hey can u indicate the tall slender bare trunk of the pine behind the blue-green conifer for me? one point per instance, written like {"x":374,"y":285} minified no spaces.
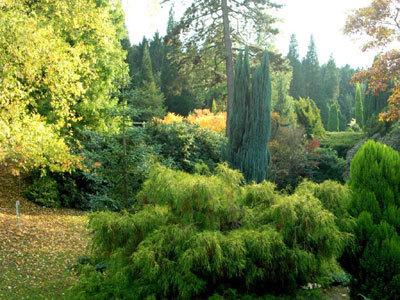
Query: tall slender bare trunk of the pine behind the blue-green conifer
{"x":229,"y":59}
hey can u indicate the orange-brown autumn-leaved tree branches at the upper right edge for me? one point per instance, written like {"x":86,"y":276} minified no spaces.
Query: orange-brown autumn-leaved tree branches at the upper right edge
{"x":379,"y":22}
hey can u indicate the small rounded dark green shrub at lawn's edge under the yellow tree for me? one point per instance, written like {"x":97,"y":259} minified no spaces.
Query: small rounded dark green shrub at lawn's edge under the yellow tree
{"x":43,"y":191}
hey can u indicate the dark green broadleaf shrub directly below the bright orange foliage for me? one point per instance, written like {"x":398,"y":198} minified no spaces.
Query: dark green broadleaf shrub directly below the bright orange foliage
{"x":184,"y":145}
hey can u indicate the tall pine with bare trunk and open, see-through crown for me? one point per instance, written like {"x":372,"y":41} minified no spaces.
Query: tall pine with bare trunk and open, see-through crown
{"x":246,"y":16}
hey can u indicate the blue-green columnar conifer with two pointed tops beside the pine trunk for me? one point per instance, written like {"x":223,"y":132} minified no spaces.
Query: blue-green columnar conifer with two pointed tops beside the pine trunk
{"x":250,"y":119}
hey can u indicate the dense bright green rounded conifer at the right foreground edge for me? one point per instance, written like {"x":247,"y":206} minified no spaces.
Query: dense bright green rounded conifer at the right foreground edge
{"x":374,"y":259}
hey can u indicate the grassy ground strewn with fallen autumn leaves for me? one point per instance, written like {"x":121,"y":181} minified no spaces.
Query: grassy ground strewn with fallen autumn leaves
{"x":37,"y":262}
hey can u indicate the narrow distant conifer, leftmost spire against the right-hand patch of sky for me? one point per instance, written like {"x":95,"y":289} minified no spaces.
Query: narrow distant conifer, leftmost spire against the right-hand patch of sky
{"x":297,"y":89}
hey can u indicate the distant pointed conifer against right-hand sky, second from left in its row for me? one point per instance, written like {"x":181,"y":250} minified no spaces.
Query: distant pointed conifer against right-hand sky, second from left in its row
{"x":313,"y":81}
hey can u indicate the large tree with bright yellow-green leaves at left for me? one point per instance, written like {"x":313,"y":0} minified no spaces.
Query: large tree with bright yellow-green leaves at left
{"x":61,"y":61}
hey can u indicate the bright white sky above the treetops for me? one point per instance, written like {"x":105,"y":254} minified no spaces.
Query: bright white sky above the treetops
{"x":324,"y":19}
